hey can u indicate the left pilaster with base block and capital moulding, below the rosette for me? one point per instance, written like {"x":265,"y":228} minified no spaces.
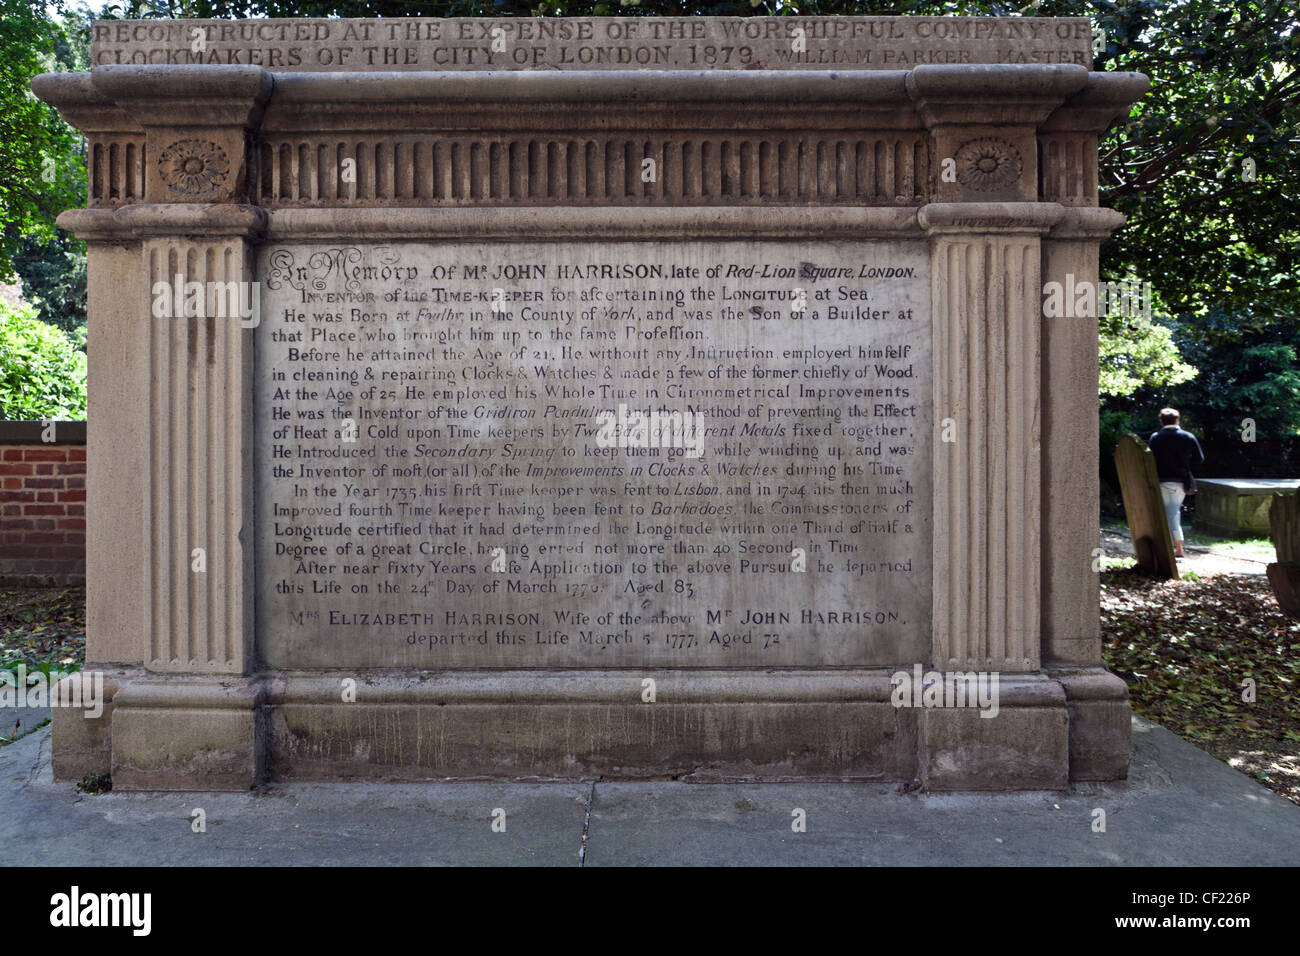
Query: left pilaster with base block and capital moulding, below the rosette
{"x":190,"y":503}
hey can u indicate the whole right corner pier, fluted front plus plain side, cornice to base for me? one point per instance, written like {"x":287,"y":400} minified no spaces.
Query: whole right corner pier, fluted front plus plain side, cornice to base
{"x":1017,"y":393}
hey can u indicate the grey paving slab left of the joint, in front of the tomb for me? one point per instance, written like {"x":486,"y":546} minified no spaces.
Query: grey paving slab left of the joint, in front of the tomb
{"x":44,"y":823}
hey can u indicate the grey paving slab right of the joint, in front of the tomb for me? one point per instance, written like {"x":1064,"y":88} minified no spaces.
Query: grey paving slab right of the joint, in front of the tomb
{"x":1181,"y":807}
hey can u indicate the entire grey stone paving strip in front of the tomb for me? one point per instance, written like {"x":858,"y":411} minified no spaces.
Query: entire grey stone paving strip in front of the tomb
{"x":1181,"y":807}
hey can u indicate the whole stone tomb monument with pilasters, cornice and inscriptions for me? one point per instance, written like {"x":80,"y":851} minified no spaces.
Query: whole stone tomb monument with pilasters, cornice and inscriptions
{"x":625,"y":397}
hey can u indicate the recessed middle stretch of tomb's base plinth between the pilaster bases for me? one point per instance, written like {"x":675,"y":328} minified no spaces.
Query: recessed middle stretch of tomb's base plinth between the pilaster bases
{"x":565,"y":725}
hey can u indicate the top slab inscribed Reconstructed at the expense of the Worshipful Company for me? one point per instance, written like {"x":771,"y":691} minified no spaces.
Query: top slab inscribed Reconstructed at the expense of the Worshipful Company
{"x":596,"y":44}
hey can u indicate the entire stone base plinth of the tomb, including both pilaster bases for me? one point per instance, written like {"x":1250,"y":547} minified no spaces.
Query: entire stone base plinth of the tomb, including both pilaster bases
{"x":1045,"y":732}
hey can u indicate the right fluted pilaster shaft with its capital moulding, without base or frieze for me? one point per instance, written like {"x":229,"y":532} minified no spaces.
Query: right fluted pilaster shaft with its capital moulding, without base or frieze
{"x":989,"y":438}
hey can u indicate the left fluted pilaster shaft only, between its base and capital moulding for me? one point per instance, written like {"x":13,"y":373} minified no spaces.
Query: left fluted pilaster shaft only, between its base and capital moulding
{"x":198,"y":486}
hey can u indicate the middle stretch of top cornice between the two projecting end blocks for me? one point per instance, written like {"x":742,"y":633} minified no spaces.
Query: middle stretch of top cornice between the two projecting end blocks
{"x":644,"y":102}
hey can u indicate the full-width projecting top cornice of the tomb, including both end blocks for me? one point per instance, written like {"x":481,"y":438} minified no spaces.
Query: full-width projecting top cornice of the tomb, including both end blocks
{"x":112,"y":98}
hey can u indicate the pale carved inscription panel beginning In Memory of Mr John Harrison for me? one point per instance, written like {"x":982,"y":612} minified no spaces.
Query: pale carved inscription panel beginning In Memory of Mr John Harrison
{"x":593,"y":455}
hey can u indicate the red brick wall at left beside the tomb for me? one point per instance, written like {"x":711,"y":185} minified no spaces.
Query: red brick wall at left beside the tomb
{"x":42,"y":504}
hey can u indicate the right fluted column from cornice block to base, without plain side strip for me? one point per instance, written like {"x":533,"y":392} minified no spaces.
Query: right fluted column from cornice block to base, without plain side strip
{"x":986,"y":228}
